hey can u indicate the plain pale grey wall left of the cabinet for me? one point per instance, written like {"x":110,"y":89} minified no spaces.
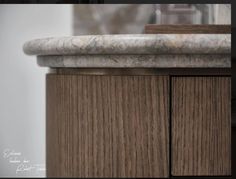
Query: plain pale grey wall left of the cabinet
{"x":22,"y":83}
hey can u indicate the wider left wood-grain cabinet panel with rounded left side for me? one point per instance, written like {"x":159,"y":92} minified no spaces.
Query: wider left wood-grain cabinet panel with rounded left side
{"x":107,"y":126}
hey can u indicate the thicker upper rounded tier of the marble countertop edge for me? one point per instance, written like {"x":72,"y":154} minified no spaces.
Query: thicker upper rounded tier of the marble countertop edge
{"x":131,"y":44}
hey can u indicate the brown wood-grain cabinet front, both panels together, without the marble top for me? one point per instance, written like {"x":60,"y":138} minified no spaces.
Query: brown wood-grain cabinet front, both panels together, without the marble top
{"x":136,"y":126}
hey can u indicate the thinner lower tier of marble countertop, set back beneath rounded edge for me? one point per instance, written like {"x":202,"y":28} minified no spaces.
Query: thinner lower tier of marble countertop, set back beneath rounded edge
{"x":136,"y":61}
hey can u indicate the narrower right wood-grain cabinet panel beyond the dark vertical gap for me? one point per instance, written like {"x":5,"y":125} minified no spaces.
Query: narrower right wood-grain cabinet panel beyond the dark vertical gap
{"x":201,"y":129}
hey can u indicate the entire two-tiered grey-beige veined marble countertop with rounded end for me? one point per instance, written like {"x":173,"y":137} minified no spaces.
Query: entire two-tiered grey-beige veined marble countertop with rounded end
{"x":144,"y":50}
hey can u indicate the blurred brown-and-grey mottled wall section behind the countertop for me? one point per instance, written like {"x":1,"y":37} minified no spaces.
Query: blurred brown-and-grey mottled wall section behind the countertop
{"x":111,"y":19}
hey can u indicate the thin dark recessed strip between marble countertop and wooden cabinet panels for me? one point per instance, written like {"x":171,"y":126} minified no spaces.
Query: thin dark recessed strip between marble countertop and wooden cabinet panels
{"x":142,"y":71}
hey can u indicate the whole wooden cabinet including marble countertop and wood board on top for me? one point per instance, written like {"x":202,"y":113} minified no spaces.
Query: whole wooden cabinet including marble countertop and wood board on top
{"x":145,"y":105}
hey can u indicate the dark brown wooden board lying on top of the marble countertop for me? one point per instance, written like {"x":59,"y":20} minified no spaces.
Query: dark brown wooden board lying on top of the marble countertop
{"x":187,"y":29}
